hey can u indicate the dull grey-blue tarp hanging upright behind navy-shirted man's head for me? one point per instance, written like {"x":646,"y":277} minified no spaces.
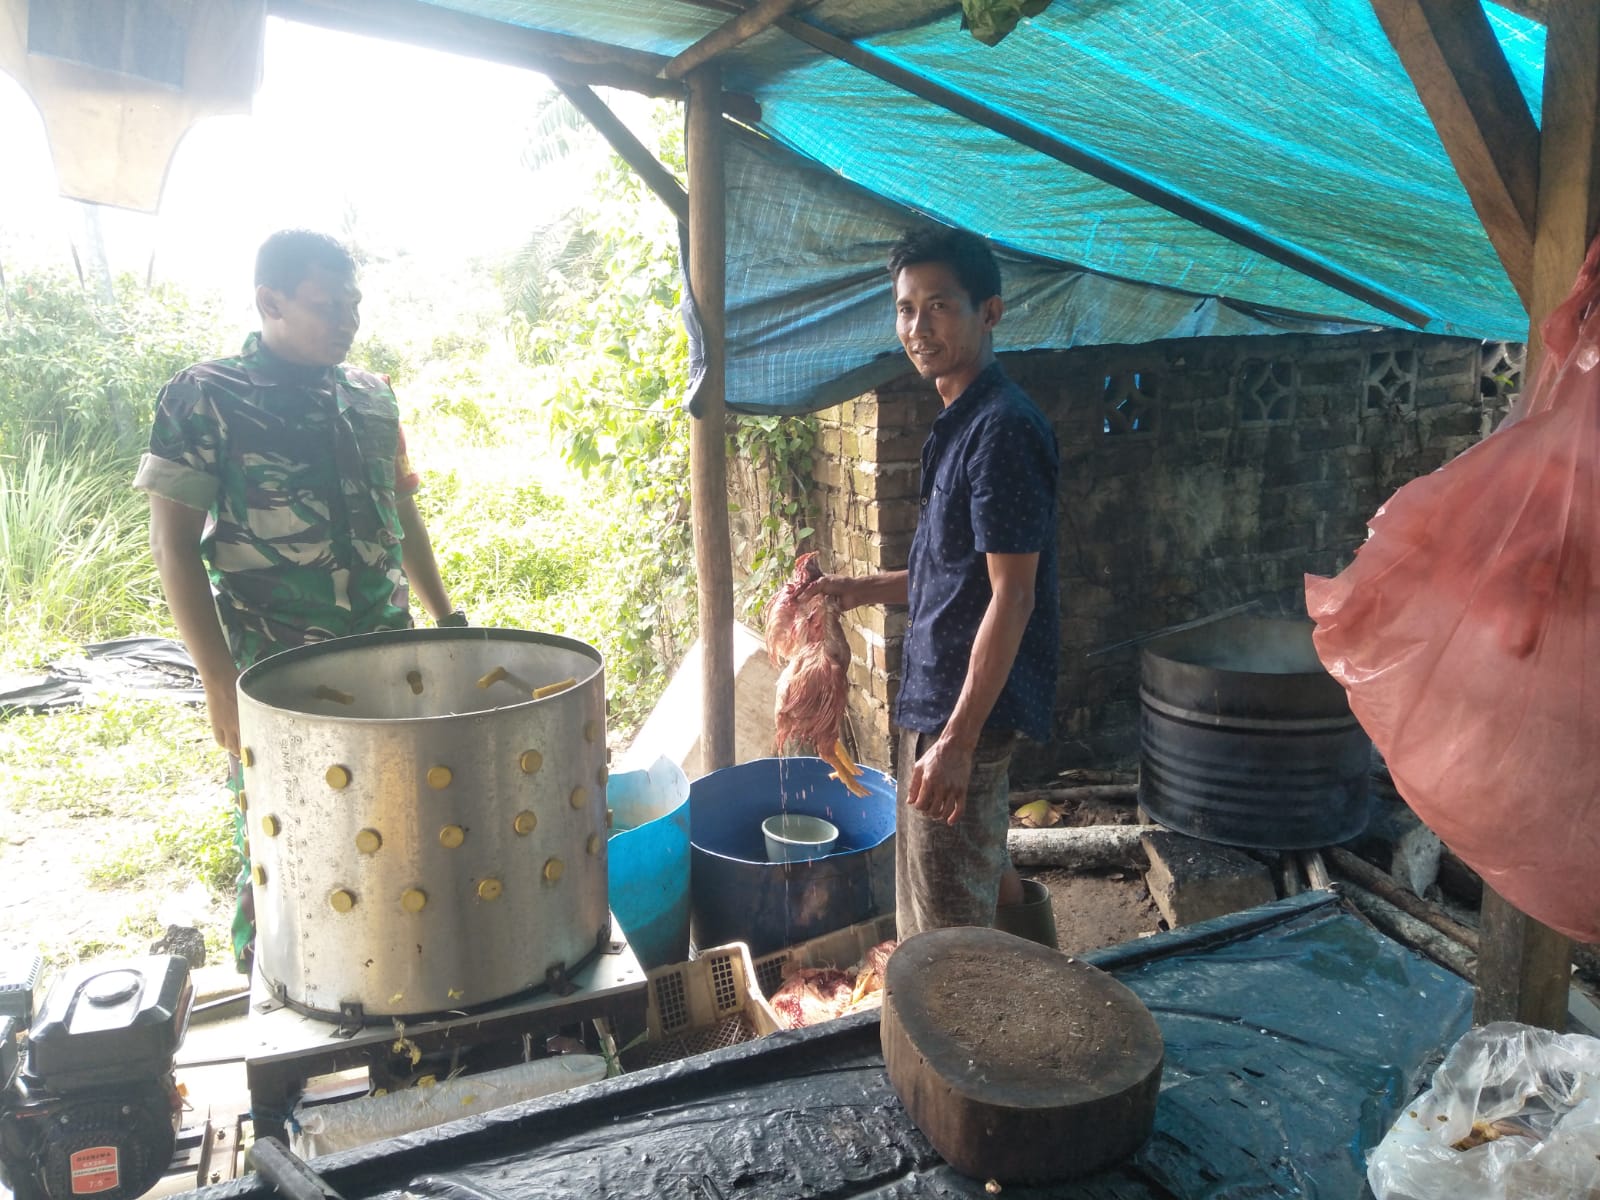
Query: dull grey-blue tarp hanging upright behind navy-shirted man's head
{"x":812,"y":322}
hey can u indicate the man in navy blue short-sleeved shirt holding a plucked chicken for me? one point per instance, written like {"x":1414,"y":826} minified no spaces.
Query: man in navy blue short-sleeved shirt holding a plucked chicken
{"x":980,"y":657}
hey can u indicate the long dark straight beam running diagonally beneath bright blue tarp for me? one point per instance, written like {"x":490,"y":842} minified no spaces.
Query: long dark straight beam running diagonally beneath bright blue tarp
{"x":1100,"y":169}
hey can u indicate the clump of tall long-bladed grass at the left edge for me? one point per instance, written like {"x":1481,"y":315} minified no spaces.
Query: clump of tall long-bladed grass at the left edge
{"x":74,"y":558}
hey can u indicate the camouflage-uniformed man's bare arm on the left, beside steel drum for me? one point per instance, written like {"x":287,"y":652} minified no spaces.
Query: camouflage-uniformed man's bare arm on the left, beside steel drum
{"x":175,"y":545}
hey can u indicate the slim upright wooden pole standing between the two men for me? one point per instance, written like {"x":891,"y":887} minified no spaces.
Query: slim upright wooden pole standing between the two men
{"x":708,"y":433}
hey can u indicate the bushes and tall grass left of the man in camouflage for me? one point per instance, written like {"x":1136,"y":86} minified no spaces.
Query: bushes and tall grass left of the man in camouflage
{"x":78,"y":388}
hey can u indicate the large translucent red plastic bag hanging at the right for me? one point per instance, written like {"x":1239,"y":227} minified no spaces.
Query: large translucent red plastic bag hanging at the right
{"x":1468,"y":636}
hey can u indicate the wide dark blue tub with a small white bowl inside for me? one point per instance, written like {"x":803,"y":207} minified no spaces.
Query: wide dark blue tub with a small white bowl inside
{"x":737,"y":895}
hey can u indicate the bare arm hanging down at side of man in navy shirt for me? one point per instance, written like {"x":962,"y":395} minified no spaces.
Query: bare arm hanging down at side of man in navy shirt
{"x":940,"y":780}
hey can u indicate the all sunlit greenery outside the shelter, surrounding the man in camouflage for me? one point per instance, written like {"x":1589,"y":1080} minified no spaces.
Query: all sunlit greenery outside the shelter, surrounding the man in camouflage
{"x":543,"y":399}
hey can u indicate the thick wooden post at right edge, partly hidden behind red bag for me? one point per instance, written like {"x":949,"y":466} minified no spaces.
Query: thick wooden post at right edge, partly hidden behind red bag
{"x":1526,"y":967}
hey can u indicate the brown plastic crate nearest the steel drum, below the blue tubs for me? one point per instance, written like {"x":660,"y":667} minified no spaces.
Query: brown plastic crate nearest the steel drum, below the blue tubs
{"x":706,"y":1004}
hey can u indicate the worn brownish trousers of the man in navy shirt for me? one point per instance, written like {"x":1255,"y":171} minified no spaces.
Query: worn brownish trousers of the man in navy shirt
{"x":951,"y":874}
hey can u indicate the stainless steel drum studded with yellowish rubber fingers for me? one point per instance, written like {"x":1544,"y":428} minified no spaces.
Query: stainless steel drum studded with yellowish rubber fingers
{"x":426,"y":814}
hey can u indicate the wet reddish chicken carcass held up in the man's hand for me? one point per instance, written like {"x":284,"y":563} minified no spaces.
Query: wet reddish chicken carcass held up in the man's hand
{"x":809,"y":638}
